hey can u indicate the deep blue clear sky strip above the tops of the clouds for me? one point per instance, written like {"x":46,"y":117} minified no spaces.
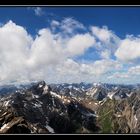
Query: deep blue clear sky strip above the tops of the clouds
{"x":119,"y":19}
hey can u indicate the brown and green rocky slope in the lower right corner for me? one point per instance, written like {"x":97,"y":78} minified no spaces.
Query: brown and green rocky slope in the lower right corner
{"x":120,"y":116}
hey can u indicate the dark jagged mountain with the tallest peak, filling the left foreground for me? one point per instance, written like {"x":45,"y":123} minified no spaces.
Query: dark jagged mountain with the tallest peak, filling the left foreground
{"x":39,"y":110}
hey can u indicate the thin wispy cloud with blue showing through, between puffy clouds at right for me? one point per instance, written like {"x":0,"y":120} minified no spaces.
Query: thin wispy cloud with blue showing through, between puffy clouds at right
{"x":106,"y":41}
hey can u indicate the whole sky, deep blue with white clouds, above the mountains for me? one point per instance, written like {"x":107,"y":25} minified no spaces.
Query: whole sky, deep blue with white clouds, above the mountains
{"x":111,"y":53}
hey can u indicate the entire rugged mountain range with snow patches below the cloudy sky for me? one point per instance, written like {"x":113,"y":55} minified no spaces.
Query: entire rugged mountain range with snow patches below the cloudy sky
{"x":69,"y":108}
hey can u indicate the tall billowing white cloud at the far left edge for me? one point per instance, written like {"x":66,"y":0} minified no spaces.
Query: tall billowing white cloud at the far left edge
{"x":14,"y":50}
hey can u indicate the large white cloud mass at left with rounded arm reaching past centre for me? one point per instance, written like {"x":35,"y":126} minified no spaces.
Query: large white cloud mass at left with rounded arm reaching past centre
{"x":23,"y":58}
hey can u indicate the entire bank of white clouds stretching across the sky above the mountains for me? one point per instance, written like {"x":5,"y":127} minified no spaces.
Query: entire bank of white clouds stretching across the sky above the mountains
{"x":52,"y":57}
